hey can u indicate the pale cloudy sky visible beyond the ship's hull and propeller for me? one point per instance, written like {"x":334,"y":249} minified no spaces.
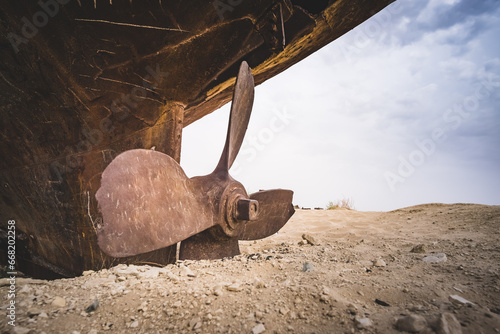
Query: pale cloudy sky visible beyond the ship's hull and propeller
{"x":400,"y":111}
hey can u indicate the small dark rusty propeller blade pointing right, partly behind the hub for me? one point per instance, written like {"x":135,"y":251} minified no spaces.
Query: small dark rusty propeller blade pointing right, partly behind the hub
{"x":275,"y":209}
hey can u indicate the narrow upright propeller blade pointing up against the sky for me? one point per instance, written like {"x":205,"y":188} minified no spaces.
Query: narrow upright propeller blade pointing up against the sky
{"x":241,"y":108}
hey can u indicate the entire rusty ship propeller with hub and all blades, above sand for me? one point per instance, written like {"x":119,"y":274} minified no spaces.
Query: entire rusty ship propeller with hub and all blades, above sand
{"x":148,"y":202}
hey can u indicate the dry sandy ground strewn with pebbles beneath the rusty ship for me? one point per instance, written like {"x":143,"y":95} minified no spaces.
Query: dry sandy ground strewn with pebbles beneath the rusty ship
{"x":361,"y":276}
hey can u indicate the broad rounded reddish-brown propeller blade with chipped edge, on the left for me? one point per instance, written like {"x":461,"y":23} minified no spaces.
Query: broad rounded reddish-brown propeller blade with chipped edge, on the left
{"x":147,"y":202}
